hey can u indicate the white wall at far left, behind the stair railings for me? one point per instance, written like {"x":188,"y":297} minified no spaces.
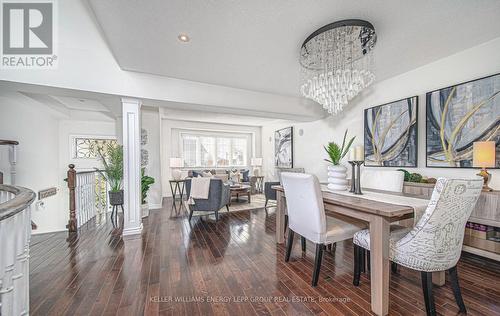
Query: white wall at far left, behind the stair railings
{"x":44,"y":153}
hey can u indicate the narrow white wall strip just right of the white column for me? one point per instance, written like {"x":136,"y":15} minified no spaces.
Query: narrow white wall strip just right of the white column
{"x":151,"y":122}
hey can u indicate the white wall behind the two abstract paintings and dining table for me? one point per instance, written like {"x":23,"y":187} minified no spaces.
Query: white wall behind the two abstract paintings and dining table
{"x":470,"y":64}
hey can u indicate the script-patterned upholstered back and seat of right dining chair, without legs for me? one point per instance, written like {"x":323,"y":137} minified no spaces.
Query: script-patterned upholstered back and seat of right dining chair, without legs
{"x":435,"y":243}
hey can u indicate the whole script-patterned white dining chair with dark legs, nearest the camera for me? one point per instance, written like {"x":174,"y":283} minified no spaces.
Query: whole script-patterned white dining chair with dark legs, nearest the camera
{"x":435,"y":243}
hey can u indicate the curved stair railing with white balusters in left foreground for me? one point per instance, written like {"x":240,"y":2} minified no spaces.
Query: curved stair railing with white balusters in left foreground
{"x":15,"y":233}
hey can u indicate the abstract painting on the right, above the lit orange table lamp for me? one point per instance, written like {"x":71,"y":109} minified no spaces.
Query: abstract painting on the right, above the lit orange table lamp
{"x":458,"y":116}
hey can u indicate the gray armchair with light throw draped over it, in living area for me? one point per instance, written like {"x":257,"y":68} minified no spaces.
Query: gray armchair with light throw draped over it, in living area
{"x":218,"y":197}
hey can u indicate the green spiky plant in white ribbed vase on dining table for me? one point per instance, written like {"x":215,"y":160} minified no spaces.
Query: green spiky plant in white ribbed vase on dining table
{"x":337,"y":174}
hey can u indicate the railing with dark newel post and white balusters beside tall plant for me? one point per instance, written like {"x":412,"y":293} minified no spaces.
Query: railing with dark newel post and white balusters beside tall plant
{"x":87,"y":196}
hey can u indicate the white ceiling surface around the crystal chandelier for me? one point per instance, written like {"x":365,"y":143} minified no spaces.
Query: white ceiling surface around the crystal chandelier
{"x":255,"y":44}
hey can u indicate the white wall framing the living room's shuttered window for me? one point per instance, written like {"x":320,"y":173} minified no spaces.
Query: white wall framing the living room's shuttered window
{"x":170,"y":144}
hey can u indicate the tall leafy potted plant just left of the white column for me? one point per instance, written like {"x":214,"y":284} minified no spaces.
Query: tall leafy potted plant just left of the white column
{"x":112,"y":161}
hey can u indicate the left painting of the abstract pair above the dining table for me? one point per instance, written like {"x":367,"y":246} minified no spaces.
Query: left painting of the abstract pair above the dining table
{"x":390,"y":136}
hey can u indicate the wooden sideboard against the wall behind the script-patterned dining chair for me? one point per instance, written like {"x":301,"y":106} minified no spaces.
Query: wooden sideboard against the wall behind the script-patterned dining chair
{"x":486,"y":212}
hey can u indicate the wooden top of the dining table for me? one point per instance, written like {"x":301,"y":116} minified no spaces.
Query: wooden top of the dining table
{"x":364,"y":204}
